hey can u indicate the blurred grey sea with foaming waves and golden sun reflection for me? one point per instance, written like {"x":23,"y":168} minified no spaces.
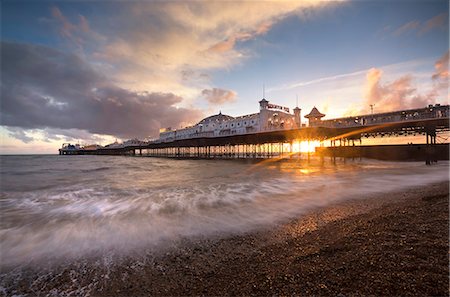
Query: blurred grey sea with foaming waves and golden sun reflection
{"x":58,"y":210}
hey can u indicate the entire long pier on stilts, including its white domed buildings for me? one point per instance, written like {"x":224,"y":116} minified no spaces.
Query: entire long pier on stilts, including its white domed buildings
{"x":273,"y":131}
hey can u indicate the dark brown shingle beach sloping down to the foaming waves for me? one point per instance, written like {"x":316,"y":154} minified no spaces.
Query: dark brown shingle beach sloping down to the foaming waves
{"x":392,"y":244}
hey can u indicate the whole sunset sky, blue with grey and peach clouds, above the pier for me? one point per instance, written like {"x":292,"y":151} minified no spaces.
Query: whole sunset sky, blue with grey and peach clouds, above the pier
{"x":97,"y":71}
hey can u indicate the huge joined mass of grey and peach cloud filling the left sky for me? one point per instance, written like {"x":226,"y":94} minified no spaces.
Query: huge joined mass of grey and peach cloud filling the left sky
{"x":157,"y":57}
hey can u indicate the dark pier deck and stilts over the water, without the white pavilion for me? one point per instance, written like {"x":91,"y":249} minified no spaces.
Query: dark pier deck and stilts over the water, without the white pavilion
{"x":345,"y":137}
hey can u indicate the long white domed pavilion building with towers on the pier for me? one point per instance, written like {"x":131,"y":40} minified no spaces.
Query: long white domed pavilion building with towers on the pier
{"x":270,"y":117}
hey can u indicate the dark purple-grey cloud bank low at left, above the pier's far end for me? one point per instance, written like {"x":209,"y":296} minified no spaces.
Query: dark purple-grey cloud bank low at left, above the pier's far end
{"x":45,"y":88}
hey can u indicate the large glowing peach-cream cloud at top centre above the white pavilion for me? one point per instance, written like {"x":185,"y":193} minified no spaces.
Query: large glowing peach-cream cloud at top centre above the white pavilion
{"x":156,"y":43}
